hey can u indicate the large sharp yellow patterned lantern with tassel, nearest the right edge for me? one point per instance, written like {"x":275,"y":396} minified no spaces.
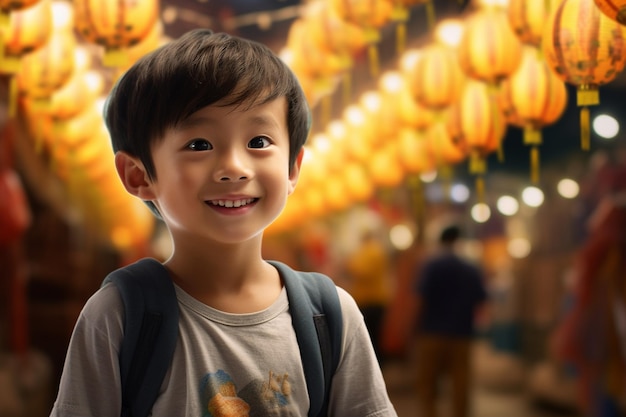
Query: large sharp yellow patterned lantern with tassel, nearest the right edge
{"x":584,"y":48}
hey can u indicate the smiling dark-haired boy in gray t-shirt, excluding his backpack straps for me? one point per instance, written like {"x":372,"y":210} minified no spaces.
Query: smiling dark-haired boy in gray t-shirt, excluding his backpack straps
{"x":208,"y":130}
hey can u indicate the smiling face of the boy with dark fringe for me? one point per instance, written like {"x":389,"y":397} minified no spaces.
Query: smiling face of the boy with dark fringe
{"x":223,"y":174}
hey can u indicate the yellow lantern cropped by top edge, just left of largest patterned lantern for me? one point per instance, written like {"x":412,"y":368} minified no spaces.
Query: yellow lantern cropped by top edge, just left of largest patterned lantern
{"x":528,"y":18}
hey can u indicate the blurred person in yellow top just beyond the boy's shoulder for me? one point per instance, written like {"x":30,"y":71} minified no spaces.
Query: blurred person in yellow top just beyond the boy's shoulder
{"x":368,"y":271}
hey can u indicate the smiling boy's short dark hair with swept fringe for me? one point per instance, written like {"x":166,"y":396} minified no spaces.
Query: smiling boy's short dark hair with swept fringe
{"x":198,"y":69}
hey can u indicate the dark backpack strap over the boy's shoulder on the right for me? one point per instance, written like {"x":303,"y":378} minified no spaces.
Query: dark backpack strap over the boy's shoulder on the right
{"x":318,"y":323}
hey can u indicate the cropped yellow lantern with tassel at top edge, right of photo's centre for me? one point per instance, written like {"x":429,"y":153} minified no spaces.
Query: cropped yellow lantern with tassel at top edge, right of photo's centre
{"x":371,"y":16}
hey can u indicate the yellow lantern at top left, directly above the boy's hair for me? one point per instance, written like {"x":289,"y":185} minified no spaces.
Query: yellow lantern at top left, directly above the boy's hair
{"x":115,"y":25}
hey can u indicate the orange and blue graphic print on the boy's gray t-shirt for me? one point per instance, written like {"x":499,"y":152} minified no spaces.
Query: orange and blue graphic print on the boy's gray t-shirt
{"x":269,"y":397}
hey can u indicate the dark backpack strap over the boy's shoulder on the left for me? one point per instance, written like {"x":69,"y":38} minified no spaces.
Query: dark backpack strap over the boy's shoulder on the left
{"x":150,"y":332}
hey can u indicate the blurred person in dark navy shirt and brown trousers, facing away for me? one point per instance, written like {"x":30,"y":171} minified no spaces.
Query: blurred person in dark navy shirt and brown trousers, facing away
{"x":450,"y":295}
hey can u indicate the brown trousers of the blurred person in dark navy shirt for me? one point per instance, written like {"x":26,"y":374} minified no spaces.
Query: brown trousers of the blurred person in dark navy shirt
{"x":442,"y":358}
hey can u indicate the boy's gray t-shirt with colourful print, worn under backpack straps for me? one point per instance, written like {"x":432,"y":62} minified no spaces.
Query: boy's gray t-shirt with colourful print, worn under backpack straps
{"x":224,"y":364}
